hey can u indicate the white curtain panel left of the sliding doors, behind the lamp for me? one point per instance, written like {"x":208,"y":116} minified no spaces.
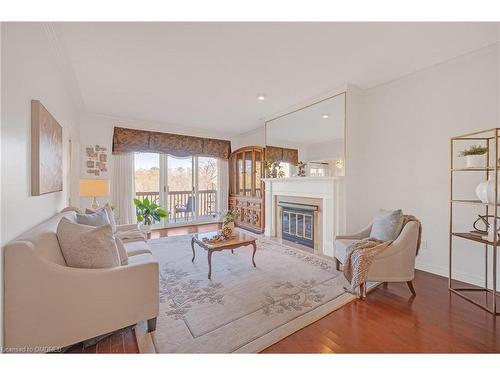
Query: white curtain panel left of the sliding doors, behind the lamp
{"x":123,"y":188}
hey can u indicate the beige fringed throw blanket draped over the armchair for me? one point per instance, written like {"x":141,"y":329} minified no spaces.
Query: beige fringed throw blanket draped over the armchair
{"x":360,"y":255}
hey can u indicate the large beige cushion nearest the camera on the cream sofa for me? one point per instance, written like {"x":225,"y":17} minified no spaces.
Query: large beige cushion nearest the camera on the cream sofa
{"x":85,"y":246}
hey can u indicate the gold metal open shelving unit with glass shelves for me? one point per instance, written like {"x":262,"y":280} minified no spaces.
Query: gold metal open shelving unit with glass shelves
{"x":490,"y":139}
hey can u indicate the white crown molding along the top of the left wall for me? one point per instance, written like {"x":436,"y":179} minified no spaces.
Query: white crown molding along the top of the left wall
{"x":64,"y":64}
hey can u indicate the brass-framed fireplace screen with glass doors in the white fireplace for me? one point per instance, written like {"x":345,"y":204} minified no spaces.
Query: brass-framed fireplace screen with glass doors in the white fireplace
{"x":297,"y":223}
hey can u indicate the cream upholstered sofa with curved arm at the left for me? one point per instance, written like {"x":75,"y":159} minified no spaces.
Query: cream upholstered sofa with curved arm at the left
{"x":49,"y":305}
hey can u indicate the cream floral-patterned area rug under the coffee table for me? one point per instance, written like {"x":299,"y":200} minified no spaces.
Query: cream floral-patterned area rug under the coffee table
{"x":242,"y":309}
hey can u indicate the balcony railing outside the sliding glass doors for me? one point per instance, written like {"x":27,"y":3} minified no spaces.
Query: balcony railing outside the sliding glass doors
{"x":205,"y":204}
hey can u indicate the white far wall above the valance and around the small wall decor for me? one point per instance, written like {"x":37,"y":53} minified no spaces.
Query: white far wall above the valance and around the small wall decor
{"x":98,"y":129}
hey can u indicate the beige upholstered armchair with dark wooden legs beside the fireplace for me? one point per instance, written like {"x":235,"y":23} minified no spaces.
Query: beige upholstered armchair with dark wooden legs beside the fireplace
{"x":394,"y":264}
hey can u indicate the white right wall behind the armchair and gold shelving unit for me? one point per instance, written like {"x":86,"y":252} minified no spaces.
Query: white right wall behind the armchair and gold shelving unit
{"x":398,"y":155}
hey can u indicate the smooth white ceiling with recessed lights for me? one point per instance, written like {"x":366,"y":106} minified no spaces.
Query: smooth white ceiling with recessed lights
{"x":207,"y":75}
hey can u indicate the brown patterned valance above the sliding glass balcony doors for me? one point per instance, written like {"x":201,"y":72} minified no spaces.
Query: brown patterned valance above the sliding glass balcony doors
{"x":134,"y":140}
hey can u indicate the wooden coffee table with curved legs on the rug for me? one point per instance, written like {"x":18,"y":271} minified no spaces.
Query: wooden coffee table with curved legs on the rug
{"x":241,"y":239}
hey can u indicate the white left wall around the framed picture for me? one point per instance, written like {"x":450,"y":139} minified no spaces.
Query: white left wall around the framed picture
{"x":29,"y":71}
